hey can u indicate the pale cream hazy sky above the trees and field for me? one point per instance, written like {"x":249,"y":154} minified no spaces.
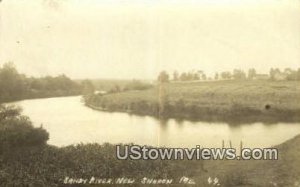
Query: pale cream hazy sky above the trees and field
{"x":136,"y":39}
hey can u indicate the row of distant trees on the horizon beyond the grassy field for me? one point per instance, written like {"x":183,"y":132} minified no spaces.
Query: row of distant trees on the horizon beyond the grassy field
{"x":236,"y":74}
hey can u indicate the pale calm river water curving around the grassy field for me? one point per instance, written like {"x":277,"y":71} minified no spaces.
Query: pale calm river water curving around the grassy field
{"x":69,"y":122}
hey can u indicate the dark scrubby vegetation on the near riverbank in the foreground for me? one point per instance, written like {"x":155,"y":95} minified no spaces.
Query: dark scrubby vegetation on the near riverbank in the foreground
{"x":27,"y":160}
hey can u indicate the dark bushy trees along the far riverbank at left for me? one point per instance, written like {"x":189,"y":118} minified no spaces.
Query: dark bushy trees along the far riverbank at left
{"x":16,"y":86}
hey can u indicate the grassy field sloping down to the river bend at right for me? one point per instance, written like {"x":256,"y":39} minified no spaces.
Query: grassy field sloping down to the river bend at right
{"x":238,"y":101}
